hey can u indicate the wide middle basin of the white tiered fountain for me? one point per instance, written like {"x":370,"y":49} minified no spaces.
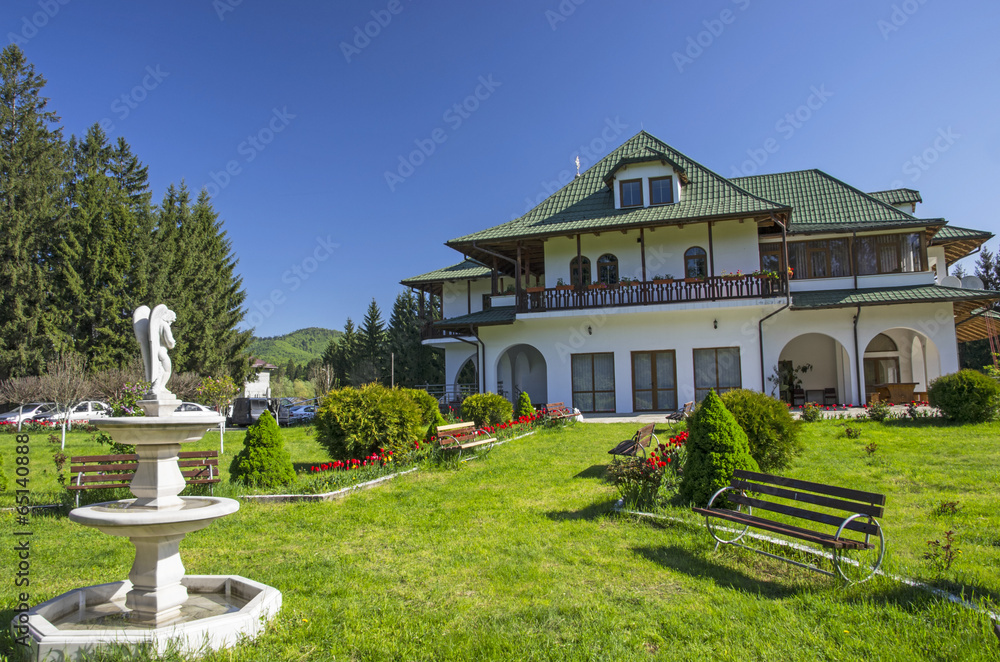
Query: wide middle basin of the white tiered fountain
{"x":123,"y":518}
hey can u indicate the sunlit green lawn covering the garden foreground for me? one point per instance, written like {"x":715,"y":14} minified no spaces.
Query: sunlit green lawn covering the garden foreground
{"x":519,"y":557}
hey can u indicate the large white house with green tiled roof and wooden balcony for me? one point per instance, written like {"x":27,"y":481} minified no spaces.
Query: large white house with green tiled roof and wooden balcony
{"x":649,"y":280}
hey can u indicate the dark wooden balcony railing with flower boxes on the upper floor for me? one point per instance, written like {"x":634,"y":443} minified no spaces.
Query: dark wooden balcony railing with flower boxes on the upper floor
{"x":716,"y":288}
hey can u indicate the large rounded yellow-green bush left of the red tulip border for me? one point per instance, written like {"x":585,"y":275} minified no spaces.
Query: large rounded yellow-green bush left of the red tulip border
{"x":357,"y":422}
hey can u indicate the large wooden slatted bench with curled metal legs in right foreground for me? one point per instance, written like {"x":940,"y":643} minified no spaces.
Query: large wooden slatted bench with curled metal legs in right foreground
{"x":848,"y":511}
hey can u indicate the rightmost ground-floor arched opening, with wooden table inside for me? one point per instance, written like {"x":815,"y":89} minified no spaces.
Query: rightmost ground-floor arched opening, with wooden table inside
{"x":899,"y":363}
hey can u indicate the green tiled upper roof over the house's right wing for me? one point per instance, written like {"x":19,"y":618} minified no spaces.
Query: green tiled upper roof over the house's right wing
{"x":820,"y":202}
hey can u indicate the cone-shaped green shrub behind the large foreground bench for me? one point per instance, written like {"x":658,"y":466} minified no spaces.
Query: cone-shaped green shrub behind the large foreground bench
{"x":717,"y":446}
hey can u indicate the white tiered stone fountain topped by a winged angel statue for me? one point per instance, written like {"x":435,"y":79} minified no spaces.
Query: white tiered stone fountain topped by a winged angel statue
{"x":158,"y":605}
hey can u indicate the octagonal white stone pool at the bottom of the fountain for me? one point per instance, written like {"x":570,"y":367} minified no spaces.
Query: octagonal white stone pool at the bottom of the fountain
{"x":220,"y":611}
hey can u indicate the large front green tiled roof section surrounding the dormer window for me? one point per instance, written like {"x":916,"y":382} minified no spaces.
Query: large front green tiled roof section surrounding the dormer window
{"x":586,"y":204}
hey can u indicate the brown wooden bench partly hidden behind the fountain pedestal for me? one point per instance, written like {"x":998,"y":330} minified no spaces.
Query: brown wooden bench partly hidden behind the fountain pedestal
{"x":94,"y":472}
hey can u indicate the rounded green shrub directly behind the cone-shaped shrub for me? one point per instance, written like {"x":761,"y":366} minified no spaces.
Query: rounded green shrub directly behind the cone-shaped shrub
{"x":771,"y":431}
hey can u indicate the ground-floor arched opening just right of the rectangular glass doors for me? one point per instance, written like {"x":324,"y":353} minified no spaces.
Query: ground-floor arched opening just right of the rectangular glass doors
{"x":812,"y":367}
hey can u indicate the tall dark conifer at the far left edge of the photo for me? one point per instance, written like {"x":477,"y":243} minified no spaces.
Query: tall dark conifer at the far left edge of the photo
{"x":33,"y":170}
